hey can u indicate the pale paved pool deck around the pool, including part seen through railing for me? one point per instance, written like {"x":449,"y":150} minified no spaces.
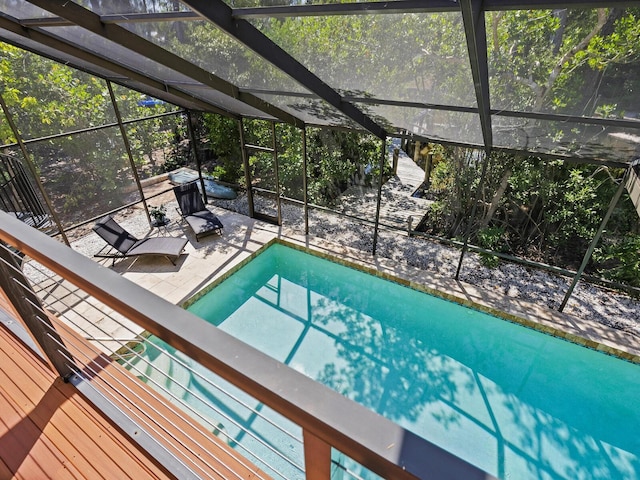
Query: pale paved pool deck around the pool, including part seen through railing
{"x":214,"y":256}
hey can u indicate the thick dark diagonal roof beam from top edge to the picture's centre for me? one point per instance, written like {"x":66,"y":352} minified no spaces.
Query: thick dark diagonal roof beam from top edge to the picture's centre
{"x":221,"y":15}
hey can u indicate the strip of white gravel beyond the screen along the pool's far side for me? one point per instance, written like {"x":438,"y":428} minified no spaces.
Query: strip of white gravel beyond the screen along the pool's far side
{"x":588,"y":301}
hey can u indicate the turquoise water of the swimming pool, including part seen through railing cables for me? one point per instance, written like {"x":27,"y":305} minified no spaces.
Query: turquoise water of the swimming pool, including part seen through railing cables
{"x":515,"y":402}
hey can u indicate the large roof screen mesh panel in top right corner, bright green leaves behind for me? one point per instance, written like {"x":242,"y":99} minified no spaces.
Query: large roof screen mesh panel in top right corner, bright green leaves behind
{"x":571,"y":61}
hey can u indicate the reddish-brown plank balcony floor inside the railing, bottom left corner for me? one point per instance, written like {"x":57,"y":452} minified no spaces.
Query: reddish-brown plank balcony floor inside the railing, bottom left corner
{"x":49,"y":430}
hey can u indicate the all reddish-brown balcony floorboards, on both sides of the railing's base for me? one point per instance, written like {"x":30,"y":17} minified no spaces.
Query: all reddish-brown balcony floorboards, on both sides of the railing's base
{"x":48,"y":429}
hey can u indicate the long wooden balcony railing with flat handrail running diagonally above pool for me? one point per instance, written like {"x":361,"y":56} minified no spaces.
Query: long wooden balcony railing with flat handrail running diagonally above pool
{"x":328,"y":420}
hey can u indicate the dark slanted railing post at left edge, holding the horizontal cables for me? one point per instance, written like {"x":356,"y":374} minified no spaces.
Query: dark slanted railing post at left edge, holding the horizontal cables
{"x":27,"y":304}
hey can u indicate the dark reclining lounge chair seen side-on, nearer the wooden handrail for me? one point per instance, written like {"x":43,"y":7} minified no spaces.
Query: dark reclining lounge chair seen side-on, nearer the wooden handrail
{"x":122,"y":244}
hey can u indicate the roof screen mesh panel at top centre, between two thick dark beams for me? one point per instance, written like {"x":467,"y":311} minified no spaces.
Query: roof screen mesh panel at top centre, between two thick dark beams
{"x":407,"y":57}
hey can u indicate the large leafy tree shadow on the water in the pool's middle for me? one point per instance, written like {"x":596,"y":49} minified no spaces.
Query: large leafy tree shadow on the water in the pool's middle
{"x":384,"y":368}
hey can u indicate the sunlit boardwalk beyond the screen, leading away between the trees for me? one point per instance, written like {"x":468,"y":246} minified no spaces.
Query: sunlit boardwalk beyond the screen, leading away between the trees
{"x":397,"y":204}
